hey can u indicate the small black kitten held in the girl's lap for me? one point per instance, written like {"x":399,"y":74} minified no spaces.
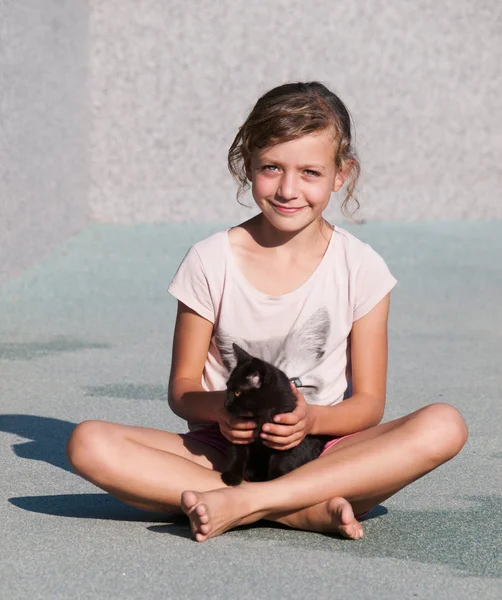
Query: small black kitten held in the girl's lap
{"x":257,"y":388}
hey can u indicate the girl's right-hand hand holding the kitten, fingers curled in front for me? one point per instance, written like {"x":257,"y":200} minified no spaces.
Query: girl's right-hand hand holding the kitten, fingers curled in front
{"x":288,"y":429}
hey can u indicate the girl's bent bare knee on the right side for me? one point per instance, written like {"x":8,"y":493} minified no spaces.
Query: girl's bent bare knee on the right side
{"x":447,"y":429}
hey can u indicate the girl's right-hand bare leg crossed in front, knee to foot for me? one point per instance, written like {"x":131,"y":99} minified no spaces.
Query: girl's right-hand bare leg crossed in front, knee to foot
{"x":364,"y":470}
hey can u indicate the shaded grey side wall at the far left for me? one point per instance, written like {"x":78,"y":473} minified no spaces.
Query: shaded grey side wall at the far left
{"x":44,"y":137}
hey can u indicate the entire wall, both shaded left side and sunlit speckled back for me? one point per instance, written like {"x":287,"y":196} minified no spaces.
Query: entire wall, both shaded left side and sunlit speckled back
{"x":123,"y":110}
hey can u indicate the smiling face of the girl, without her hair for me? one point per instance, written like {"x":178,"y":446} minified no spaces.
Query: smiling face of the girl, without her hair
{"x":292,"y":182}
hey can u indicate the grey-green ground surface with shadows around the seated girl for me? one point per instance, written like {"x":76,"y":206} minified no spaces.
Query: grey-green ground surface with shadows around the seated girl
{"x":86,"y":334}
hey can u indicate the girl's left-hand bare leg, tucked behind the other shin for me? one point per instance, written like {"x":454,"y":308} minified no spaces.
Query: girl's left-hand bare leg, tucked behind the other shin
{"x":146,"y":468}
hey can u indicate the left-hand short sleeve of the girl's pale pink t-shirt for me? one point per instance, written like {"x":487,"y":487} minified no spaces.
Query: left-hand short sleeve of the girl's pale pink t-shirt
{"x":190,"y":285}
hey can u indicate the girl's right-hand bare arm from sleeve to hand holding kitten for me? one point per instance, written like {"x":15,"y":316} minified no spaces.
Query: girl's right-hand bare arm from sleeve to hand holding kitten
{"x":363,"y":409}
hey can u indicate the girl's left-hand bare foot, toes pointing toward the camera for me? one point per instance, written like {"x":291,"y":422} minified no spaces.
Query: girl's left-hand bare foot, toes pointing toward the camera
{"x":212,"y":513}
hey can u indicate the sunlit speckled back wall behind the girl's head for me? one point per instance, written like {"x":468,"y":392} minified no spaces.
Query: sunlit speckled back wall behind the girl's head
{"x":172,"y":81}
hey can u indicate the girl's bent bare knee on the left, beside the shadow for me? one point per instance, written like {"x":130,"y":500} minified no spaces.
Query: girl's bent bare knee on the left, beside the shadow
{"x":85,"y":446}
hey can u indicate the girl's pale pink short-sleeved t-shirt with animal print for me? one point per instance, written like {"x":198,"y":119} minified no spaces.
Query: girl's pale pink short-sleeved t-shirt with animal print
{"x":306,"y":333}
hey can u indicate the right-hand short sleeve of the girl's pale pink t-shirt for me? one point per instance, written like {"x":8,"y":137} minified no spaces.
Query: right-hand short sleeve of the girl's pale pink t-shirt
{"x":373,"y":281}
